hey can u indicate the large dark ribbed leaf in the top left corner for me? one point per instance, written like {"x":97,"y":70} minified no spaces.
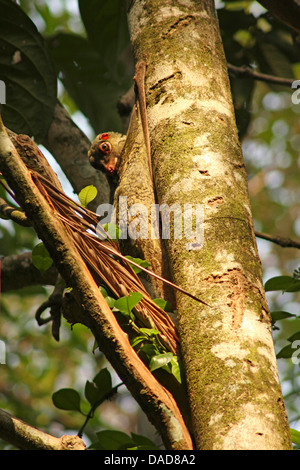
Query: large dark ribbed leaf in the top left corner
{"x":28,"y":73}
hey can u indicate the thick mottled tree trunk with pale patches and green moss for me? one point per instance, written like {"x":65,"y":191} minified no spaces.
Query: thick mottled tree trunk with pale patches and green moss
{"x":233,"y":385}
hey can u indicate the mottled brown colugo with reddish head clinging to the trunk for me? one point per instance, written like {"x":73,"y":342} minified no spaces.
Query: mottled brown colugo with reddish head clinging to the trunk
{"x":124,"y":160}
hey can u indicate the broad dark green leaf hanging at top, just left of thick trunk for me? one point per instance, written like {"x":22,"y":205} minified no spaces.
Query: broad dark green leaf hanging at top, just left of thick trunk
{"x":95,"y":69}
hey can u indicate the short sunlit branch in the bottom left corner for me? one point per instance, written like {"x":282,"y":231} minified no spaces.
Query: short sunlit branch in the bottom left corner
{"x":26,"y":437}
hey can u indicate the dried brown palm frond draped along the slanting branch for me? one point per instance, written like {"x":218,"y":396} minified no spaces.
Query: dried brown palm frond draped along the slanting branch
{"x":105,"y":261}
